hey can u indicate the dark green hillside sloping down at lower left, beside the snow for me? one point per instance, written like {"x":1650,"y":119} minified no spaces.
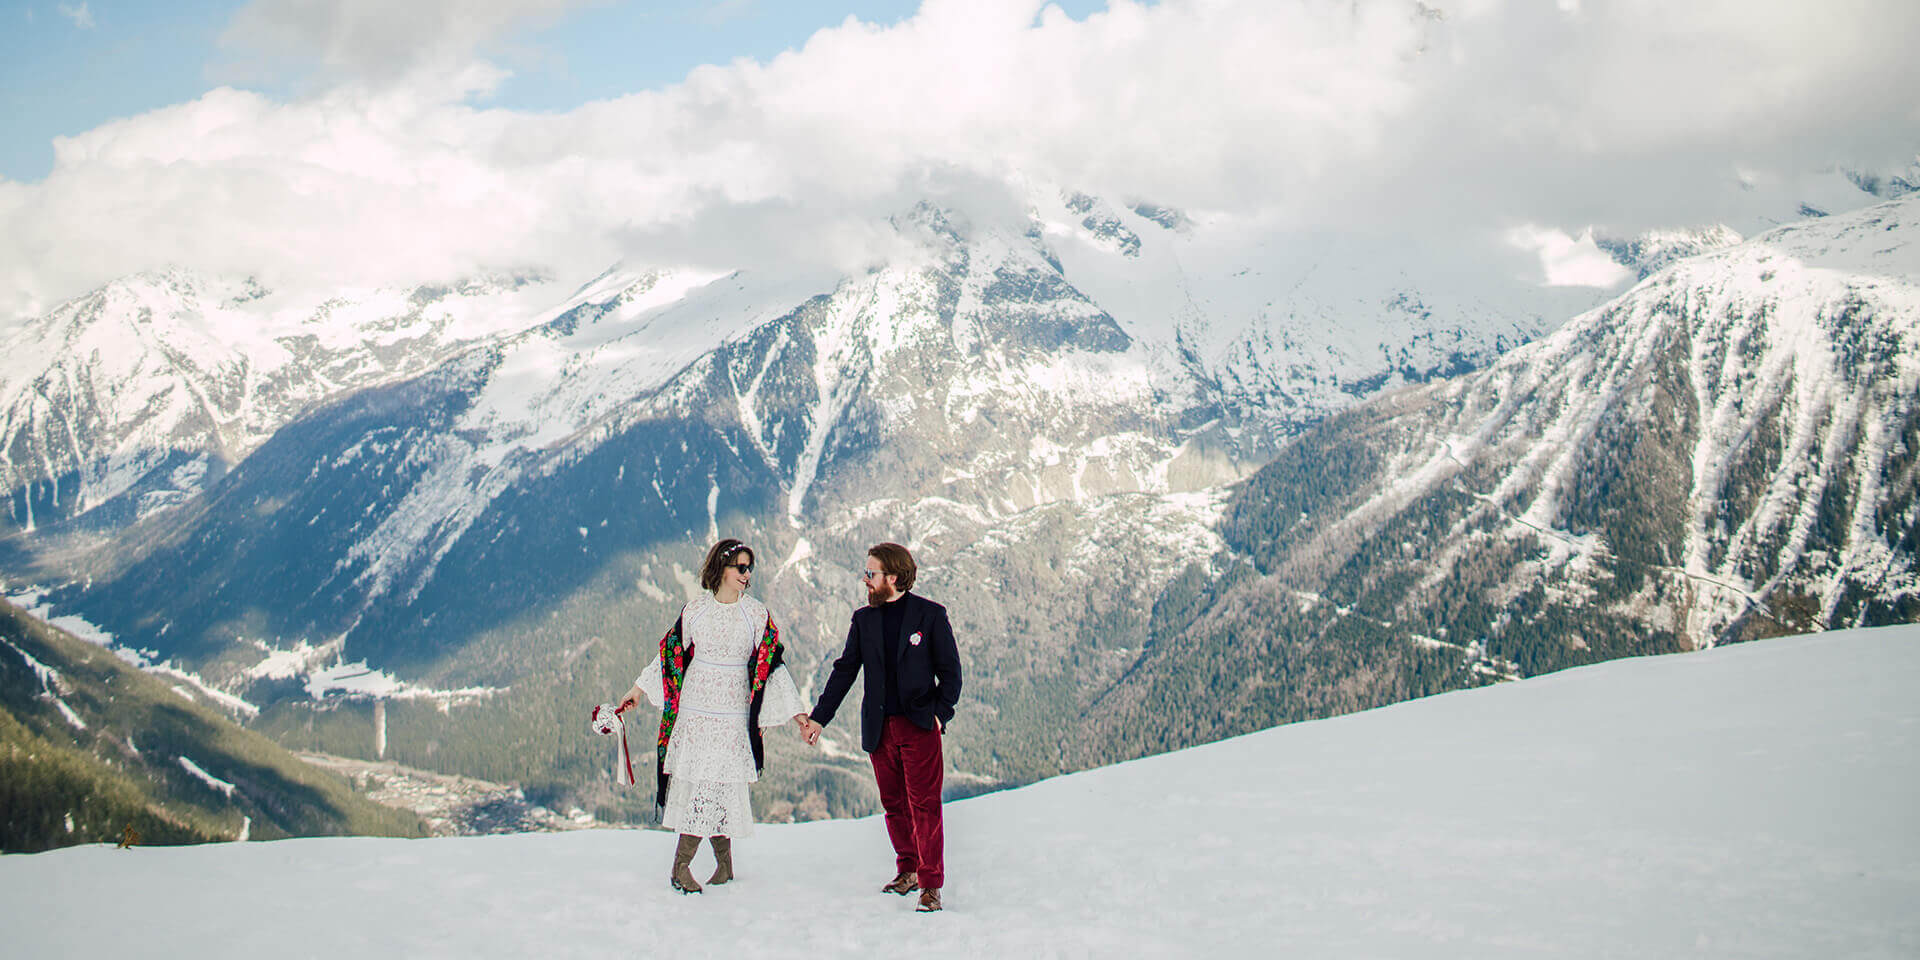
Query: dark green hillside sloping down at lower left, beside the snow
{"x":91,"y":748}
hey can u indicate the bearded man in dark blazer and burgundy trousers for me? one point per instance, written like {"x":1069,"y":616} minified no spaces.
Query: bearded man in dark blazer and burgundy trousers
{"x":913,"y":683}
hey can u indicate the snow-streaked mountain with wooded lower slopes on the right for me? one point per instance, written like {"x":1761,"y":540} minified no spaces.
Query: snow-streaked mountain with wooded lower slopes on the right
{"x":1725,"y":452}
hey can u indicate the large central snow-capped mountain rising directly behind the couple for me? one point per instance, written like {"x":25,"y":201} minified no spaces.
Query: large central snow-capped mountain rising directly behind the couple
{"x":1051,"y":410}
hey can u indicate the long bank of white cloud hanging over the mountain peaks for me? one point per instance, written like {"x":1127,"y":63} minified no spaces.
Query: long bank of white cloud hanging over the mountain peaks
{"x":1366,"y":116}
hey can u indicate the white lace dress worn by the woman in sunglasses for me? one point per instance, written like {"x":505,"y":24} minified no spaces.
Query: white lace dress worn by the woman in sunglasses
{"x":709,"y":757}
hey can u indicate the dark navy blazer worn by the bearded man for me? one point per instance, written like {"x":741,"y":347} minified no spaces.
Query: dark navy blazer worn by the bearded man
{"x":926,"y":669}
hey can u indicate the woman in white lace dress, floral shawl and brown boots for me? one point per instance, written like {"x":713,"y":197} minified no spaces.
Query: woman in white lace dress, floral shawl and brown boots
{"x":719,"y":681}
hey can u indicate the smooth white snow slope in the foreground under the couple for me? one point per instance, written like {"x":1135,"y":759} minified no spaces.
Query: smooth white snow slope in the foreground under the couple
{"x":1742,"y":802}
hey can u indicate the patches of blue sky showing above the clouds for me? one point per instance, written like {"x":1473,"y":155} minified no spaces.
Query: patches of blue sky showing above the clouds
{"x":64,"y":72}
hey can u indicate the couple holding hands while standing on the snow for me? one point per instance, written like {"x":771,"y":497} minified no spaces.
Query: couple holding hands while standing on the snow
{"x":721,"y":679}
